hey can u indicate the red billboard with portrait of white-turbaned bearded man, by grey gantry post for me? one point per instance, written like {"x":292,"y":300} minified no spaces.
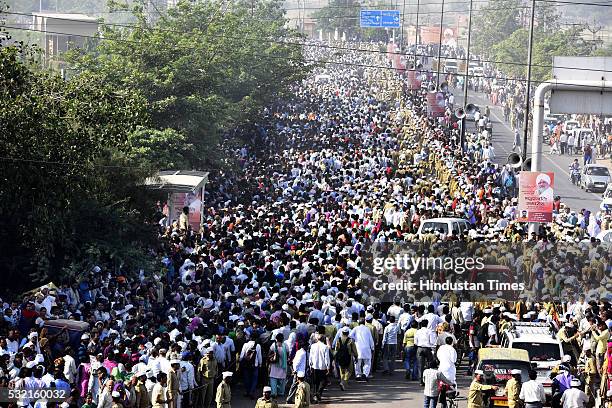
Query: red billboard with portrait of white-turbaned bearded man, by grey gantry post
{"x":536,"y":196}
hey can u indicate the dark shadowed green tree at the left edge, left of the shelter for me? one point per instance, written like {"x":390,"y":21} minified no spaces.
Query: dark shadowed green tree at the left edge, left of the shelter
{"x":72,"y":163}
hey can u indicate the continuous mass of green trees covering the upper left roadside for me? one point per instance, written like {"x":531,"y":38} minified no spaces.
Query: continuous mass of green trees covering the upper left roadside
{"x":150,"y":97}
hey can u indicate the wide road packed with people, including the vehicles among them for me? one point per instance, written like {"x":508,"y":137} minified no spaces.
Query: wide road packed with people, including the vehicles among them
{"x":276,"y":293}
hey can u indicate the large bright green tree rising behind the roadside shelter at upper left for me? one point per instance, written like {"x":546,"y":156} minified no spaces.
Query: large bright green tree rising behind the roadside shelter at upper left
{"x":203,"y":68}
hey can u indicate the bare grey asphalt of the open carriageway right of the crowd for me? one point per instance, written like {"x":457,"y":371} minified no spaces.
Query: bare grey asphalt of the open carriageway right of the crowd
{"x":502,"y":141}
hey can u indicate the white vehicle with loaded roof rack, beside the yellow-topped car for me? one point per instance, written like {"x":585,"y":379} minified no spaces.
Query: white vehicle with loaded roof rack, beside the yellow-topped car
{"x":545,"y":351}
